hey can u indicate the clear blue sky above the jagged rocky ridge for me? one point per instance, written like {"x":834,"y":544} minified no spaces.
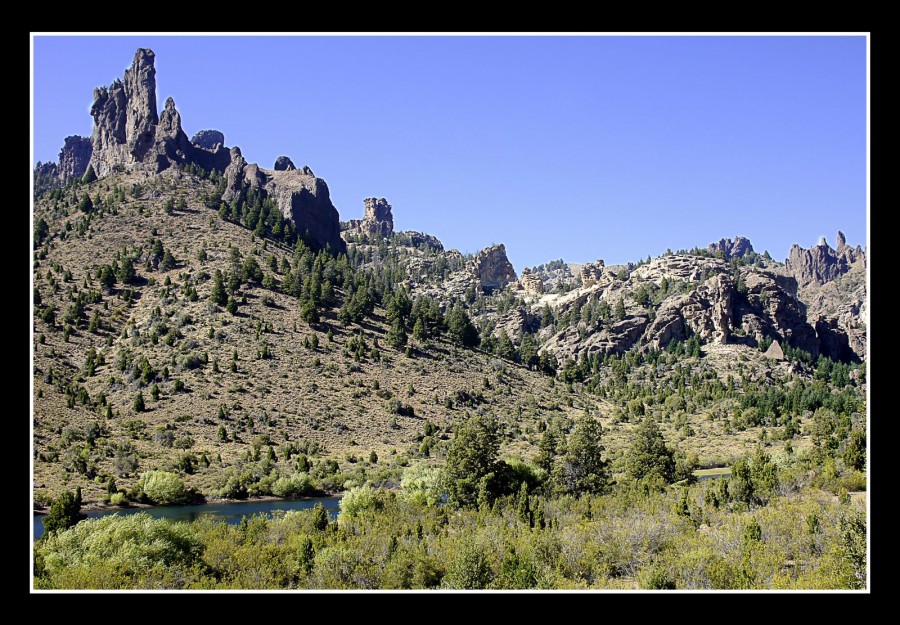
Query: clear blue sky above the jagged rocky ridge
{"x":560,"y":147}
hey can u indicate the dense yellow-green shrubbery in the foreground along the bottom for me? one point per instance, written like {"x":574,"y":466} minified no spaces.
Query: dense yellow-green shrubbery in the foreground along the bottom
{"x":628,"y":538}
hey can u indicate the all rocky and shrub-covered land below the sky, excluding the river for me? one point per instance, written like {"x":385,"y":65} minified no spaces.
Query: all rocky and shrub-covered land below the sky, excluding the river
{"x":205,"y":328}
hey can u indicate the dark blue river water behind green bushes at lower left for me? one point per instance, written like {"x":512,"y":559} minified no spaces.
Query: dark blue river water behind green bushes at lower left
{"x":230,"y":513}
